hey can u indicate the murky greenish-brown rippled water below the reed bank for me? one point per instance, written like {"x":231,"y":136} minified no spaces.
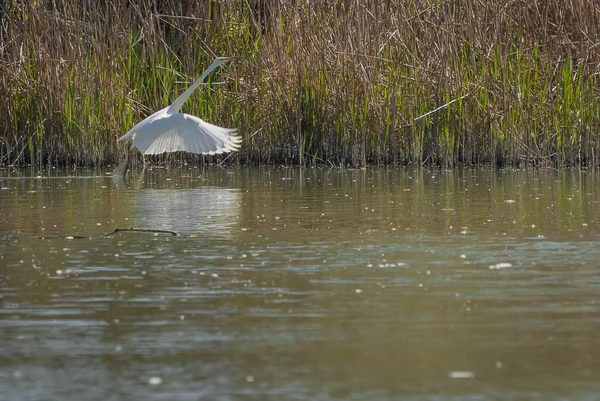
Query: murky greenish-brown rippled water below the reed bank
{"x":290,"y":284}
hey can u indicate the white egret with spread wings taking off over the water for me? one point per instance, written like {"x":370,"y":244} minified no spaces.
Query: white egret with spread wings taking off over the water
{"x":169,"y":130}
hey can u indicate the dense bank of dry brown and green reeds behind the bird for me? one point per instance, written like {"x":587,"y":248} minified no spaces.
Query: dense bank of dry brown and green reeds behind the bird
{"x":343,"y":83}
